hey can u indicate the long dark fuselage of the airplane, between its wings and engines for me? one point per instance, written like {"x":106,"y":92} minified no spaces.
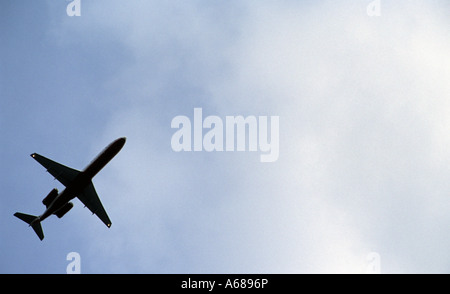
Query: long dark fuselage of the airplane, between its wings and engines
{"x":83,"y":179}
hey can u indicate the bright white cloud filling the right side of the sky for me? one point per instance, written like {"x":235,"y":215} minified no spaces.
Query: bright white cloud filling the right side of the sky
{"x":361,"y":103}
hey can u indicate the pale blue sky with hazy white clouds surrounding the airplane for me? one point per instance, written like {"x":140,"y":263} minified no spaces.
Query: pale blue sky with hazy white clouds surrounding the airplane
{"x":363,"y":101}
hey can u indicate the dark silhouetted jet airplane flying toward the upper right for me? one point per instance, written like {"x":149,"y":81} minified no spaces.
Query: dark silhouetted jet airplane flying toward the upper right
{"x":77,"y":183}
